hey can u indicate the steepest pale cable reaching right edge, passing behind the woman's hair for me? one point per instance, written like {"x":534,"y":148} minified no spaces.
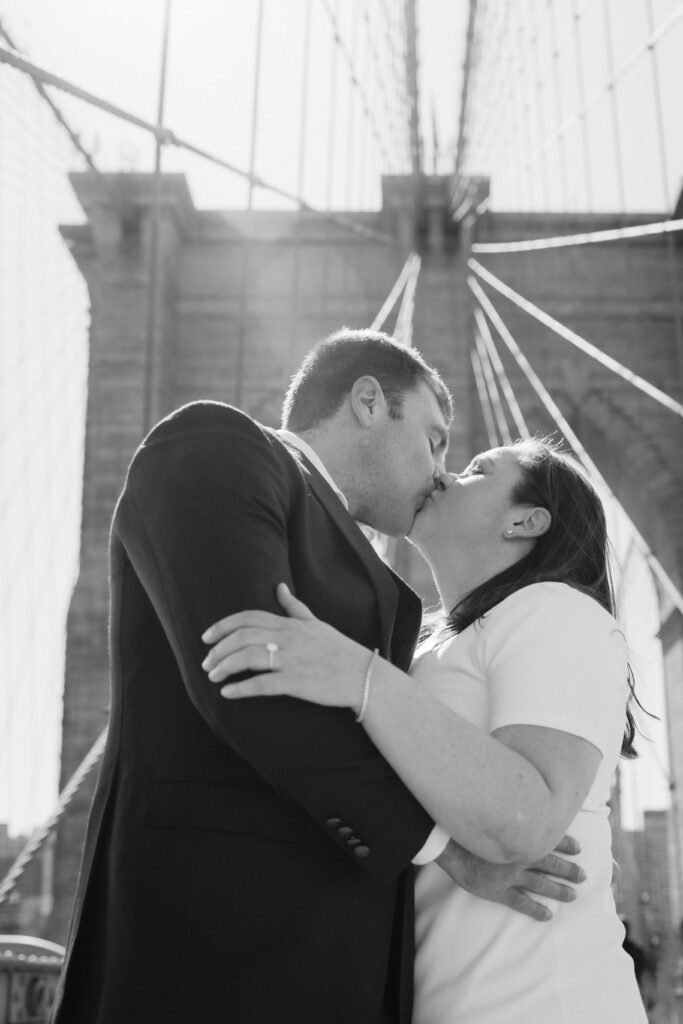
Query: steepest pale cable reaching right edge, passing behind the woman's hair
{"x":656,"y":566}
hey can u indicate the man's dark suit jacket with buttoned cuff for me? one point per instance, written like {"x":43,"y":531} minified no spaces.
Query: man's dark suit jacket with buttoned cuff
{"x":246,"y":863}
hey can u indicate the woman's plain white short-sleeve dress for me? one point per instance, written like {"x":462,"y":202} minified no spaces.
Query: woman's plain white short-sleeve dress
{"x":548,"y":656}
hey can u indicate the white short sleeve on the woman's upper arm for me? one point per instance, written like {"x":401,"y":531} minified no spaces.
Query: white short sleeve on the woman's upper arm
{"x":553,"y":658}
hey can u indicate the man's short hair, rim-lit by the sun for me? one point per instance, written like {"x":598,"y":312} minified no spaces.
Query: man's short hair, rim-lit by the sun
{"x":332,"y":367}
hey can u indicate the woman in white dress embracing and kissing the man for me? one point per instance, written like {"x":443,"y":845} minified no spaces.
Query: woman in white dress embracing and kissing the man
{"x":508,"y":732}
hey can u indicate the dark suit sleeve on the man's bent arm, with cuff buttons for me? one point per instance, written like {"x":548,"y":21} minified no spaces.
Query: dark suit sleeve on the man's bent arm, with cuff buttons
{"x":204,"y":522}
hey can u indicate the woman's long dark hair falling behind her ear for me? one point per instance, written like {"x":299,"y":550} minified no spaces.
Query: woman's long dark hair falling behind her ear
{"x":573,"y":551}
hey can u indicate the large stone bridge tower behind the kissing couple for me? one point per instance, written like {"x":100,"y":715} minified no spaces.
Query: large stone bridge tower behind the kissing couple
{"x":243,"y":295}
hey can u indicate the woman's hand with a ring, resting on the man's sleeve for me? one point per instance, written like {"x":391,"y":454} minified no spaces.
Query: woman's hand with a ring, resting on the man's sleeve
{"x":297,"y":656}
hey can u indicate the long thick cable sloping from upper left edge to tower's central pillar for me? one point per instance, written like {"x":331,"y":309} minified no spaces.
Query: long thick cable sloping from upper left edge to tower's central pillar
{"x":167,"y":138}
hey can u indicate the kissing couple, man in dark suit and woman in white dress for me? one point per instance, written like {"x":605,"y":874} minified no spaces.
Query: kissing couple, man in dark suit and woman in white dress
{"x":298,"y":821}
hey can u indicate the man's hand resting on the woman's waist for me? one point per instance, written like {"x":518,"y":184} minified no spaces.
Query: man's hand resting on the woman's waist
{"x":514,"y":885}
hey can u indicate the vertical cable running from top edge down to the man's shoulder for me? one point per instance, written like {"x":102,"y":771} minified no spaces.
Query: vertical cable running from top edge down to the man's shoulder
{"x":150,"y":402}
